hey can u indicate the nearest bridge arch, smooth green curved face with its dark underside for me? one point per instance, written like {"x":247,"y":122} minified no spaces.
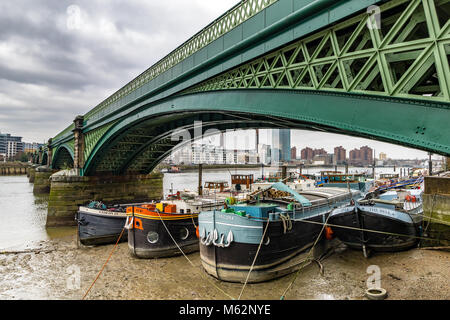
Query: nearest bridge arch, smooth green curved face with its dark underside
{"x":142,"y":139}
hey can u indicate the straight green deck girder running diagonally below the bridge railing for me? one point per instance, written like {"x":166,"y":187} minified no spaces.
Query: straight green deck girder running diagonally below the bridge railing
{"x":262,"y":27}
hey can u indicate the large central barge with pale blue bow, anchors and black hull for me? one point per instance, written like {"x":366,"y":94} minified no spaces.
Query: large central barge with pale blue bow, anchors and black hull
{"x":280,"y":230}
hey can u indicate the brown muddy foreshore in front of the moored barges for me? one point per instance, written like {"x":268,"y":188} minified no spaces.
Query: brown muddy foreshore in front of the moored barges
{"x":60,"y":270}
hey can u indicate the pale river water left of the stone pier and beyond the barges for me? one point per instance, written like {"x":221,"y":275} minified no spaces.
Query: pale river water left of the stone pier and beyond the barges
{"x":23,"y":215}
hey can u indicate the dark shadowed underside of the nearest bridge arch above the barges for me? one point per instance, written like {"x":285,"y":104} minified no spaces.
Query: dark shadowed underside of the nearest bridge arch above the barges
{"x":140,"y":149}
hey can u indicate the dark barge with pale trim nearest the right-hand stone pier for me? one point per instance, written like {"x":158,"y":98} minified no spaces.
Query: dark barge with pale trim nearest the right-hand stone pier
{"x":389,"y":222}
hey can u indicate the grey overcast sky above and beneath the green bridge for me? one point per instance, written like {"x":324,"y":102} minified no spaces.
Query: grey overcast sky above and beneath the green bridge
{"x":61,"y":58}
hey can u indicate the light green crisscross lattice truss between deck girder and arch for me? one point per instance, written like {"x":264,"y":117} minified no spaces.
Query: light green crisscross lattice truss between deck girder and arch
{"x":406,"y":58}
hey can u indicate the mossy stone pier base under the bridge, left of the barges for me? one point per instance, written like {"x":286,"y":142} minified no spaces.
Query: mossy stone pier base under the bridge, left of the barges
{"x":68,"y":191}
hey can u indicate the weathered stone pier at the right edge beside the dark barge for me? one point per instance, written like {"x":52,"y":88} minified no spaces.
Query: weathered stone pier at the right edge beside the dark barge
{"x":436,"y":210}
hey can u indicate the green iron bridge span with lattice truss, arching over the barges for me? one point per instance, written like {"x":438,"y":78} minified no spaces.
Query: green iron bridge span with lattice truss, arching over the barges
{"x":324,"y":66}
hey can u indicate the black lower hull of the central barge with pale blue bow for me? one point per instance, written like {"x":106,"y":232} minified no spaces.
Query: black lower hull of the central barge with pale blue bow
{"x":280,"y":254}
